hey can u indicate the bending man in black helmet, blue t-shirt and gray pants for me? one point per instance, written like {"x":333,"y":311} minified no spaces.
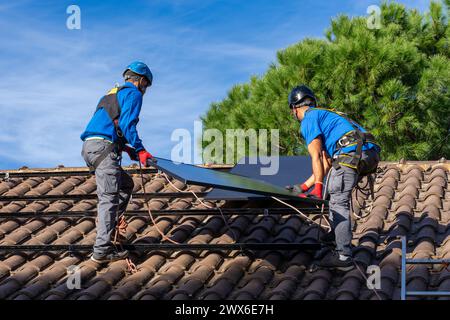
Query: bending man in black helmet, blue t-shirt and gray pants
{"x":345,"y":151}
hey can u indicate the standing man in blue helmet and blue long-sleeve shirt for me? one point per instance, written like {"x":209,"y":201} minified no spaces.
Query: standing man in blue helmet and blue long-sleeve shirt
{"x":111,"y":130}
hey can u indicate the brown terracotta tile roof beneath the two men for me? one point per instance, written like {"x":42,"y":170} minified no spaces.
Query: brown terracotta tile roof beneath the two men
{"x":410,"y":199}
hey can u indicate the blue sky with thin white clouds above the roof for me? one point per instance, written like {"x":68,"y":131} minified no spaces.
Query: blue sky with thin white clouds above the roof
{"x":52,"y":77}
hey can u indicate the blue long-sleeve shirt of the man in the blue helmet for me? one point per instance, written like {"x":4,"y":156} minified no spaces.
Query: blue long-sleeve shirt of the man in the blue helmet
{"x":101,"y":125}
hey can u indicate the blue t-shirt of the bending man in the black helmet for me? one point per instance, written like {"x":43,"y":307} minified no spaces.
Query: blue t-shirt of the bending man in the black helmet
{"x":331,"y":127}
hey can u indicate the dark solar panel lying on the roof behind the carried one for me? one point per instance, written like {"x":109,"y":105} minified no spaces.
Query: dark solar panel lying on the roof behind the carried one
{"x":291,"y":170}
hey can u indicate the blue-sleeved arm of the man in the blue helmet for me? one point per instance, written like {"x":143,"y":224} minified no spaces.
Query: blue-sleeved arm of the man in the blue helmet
{"x":129,"y":117}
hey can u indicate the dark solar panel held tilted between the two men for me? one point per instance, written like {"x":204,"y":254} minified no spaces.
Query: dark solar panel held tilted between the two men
{"x":190,"y":174}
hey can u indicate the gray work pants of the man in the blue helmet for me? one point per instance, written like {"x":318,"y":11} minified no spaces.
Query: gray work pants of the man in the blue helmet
{"x":114,"y":188}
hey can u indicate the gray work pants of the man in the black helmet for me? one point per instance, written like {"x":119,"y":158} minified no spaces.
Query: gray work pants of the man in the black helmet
{"x":340,"y":185}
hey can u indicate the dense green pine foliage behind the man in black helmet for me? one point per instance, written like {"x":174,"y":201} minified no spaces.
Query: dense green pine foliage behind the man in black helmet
{"x":393,"y":80}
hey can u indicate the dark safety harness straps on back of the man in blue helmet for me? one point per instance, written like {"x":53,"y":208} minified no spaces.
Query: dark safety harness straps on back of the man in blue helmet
{"x":110,"y":104}
